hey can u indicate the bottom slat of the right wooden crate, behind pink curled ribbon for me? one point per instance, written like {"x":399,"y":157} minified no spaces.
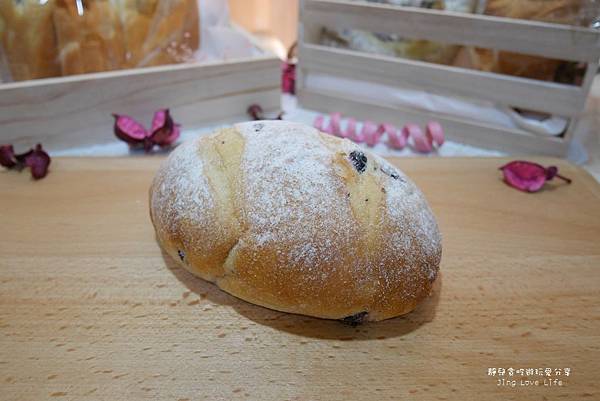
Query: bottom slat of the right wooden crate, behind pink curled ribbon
{"x":514,"y":141}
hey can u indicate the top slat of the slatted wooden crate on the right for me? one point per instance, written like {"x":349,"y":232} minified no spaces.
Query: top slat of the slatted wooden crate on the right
{"x":522,"y":36}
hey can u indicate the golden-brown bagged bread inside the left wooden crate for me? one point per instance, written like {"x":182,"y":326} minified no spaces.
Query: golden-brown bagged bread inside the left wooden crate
{"x":63,"y":37}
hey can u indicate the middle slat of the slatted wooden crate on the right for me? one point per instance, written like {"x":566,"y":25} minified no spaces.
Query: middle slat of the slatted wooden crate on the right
{"x":532,"y":94}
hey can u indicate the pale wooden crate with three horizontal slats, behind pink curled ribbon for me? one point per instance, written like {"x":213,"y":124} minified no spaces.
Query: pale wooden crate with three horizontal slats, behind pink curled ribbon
{"x":527,"y":37}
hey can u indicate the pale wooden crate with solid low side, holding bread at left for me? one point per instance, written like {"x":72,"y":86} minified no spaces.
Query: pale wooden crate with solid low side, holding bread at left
{"x":73,"y":111}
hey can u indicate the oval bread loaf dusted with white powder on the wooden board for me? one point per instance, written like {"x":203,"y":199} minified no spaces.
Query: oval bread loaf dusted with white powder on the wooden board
{"x":283,"y":216}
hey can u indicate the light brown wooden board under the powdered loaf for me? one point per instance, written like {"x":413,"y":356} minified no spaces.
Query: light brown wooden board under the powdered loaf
{"x":91,"y":309}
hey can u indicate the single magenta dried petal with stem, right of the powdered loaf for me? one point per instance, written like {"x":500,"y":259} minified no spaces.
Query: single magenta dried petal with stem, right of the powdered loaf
{"x":529,"y":177}
